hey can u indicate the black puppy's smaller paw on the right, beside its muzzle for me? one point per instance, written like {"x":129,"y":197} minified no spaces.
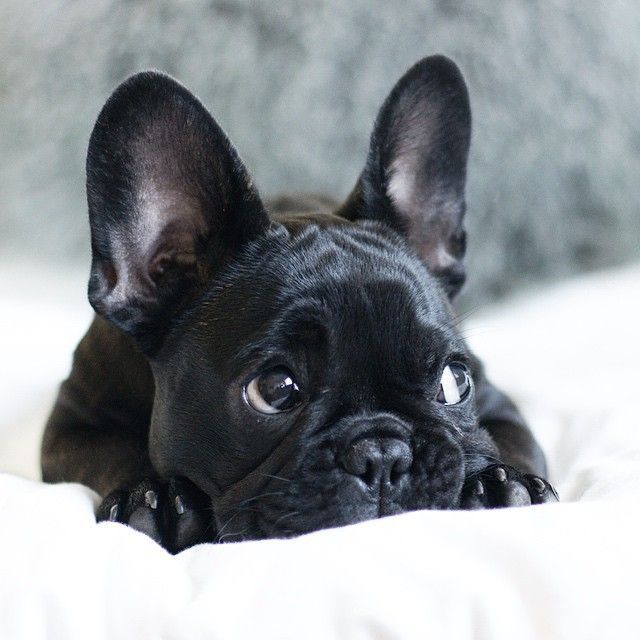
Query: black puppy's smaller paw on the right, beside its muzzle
{"x":502,"y":486}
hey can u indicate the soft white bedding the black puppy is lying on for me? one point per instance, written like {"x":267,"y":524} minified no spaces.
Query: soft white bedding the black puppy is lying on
{"x":568,"y":355}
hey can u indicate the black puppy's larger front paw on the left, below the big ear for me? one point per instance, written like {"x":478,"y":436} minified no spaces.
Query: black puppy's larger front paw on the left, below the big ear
{"x":175,"y":514}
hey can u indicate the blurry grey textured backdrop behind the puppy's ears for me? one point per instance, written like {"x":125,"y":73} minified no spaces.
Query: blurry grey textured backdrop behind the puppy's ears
{"x":554,"y":180}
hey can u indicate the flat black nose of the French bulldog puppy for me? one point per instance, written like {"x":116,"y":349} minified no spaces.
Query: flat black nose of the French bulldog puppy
{"x":378,"y":461}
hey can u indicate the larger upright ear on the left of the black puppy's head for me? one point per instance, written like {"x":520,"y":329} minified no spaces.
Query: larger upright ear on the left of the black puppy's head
{"x":170,"y":202}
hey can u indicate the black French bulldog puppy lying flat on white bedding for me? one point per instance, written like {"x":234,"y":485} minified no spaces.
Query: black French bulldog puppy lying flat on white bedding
{"x":261,"y":371}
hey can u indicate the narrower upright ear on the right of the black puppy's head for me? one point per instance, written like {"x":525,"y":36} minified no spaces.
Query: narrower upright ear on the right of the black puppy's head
{"x":415,"y":173}
